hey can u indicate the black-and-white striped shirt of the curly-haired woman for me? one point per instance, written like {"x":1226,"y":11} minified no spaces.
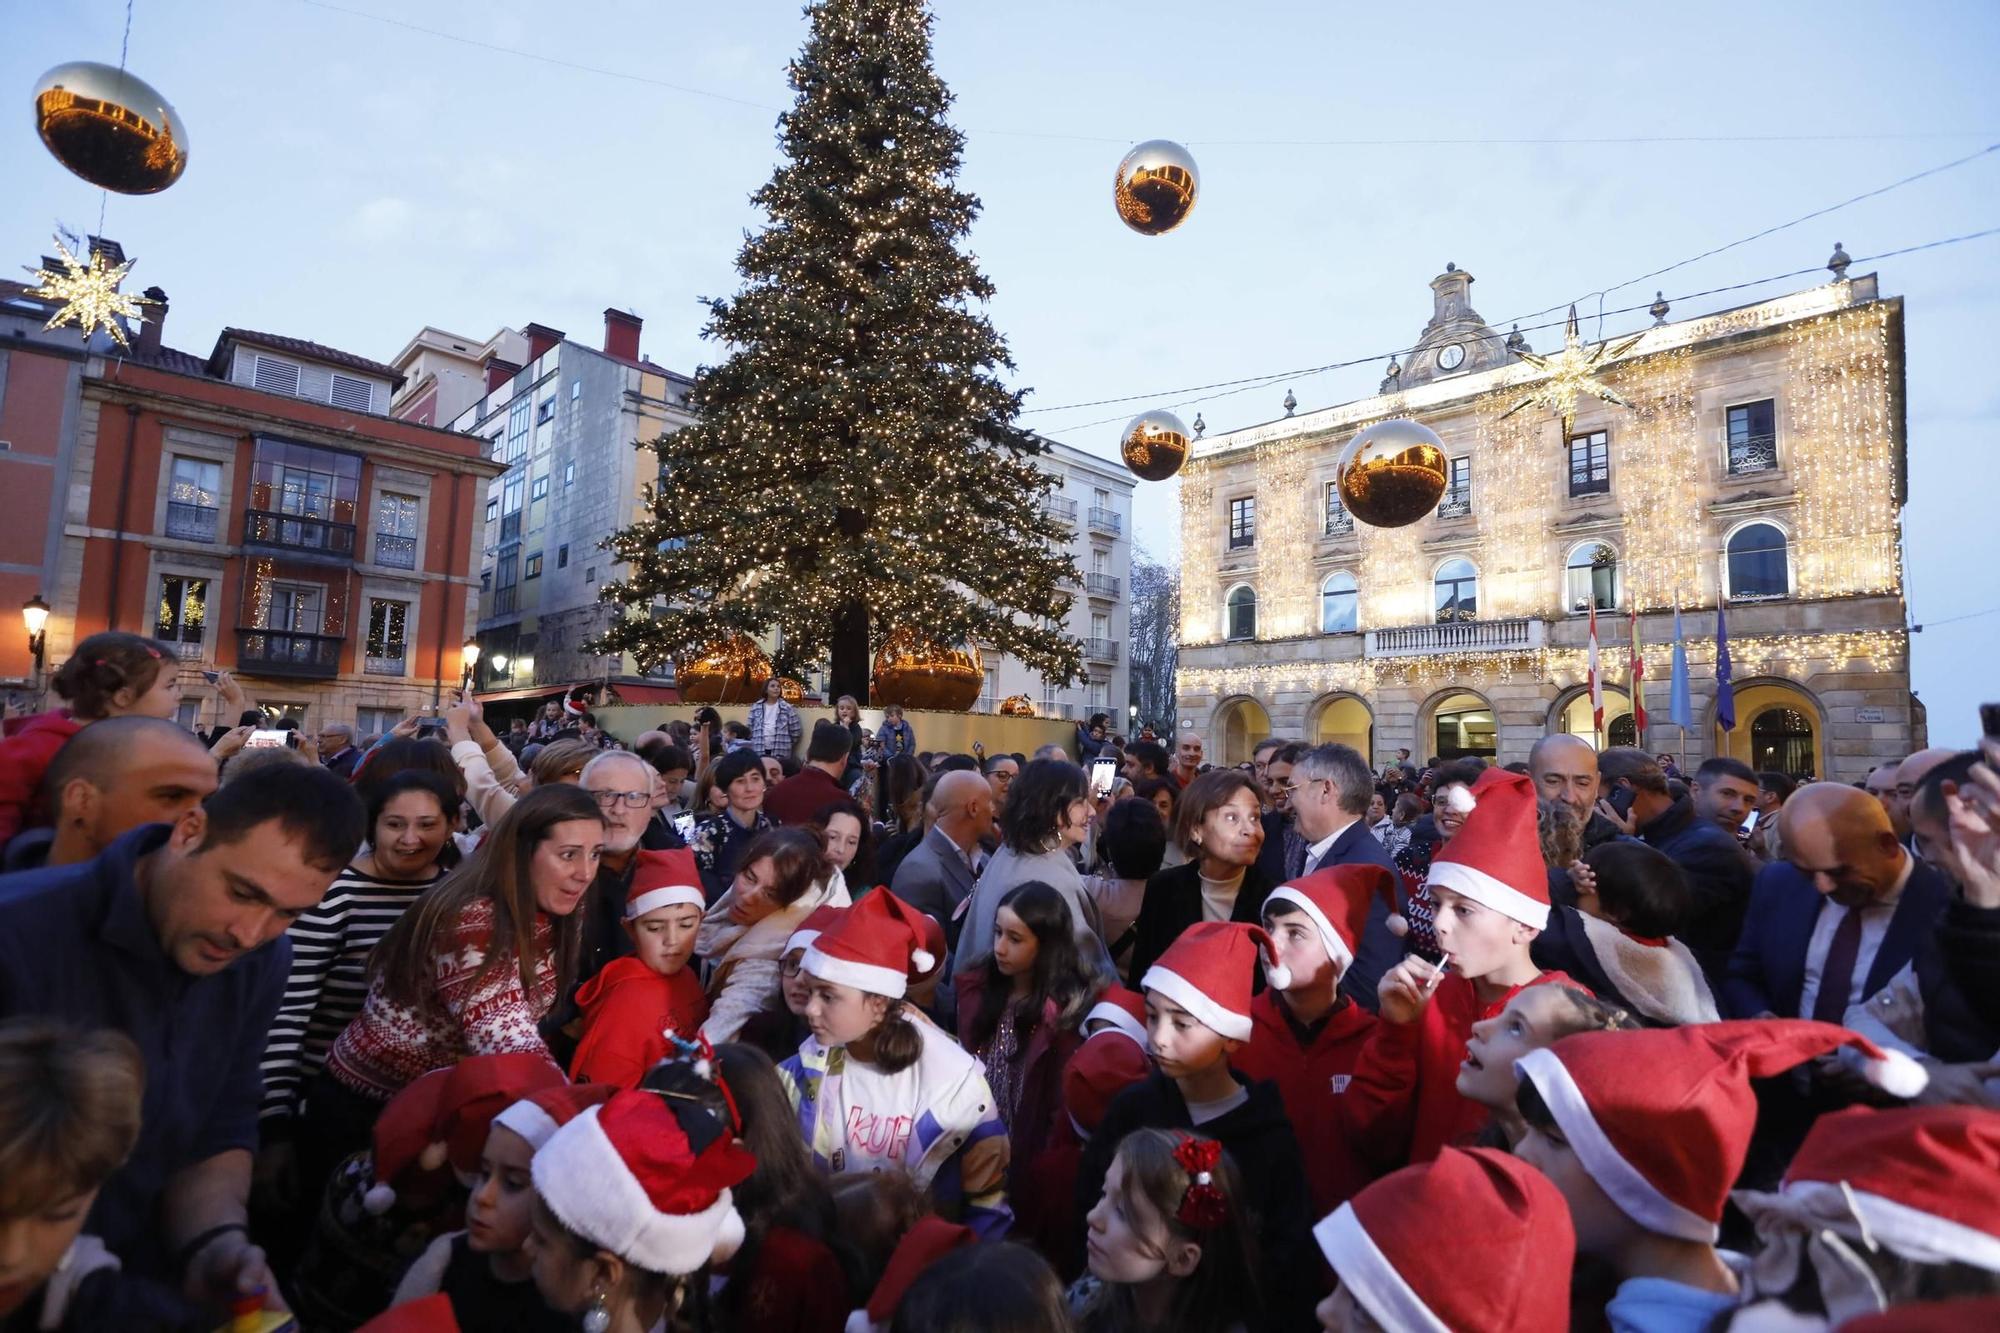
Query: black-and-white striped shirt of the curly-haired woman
{"x":329,"y":980}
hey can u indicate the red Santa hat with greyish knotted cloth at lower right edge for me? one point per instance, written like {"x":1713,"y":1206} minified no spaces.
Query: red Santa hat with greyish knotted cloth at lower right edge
{"x":1917,"y":1182}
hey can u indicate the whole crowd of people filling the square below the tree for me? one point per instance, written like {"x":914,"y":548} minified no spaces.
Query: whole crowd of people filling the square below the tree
{"x":755,"y":1026}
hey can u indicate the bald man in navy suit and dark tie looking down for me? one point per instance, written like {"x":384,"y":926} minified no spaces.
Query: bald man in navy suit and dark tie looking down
{"x":1841,"y":914}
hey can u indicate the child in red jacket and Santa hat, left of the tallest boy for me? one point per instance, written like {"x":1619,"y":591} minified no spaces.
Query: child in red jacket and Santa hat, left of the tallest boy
{"x":1309,"y":1036}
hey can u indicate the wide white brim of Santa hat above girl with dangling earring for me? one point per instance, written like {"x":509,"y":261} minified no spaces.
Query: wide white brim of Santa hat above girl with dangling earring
{"x":589,"y":1188}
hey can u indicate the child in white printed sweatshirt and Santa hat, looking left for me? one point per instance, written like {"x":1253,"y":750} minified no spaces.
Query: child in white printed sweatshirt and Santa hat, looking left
{"x":881,"y":1090}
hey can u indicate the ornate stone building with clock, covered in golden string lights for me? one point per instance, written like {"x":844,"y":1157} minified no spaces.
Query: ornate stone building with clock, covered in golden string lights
{"x":1759,"y":465}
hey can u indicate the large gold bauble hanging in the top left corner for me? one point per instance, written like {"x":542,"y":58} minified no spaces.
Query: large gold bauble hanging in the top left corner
{"x":111,"y":127}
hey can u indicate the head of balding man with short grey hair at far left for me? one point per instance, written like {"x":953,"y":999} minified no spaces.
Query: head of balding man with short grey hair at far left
{"x":113,"y":778}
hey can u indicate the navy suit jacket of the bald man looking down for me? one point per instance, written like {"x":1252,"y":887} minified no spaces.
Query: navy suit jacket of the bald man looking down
{"x":1769,"y":968}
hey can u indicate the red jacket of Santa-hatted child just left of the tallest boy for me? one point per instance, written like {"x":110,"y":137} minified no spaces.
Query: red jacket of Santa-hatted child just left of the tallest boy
{"x":1313,"y":1080}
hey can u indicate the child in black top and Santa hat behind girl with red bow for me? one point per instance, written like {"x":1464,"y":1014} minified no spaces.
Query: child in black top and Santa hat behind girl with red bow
{"x":1197,"y":1020}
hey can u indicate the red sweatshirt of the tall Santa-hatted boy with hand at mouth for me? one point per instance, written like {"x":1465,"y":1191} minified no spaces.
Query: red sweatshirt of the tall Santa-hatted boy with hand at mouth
{"x":1403,"y":1102}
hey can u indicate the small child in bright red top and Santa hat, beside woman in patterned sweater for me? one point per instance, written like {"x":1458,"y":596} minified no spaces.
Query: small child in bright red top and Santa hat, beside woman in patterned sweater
{"x":635,"y":1002}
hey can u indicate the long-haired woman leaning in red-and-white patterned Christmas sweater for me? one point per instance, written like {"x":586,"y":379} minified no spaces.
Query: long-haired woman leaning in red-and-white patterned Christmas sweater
{"x":473,"y":970}
